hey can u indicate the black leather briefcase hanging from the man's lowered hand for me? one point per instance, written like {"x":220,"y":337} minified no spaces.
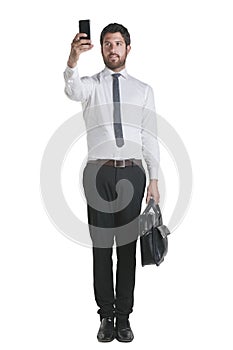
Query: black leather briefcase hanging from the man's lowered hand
{"x":153,"y":235}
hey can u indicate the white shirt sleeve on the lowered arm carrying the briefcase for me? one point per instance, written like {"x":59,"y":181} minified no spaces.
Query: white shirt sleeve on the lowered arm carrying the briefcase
{"x":150,"y":146}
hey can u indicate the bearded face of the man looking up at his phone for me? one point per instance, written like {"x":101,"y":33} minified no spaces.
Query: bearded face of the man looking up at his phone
{"x":114,"y":51}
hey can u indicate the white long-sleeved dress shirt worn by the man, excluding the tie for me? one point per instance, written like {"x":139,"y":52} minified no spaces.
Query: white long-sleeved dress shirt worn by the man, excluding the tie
{"x":137,"y":115}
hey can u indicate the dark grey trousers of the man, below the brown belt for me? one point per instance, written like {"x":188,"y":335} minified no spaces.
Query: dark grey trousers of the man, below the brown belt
{"x":119,"y":223}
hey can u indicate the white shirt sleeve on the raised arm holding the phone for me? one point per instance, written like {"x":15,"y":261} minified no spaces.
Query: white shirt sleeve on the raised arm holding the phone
{"x":76,"y":88}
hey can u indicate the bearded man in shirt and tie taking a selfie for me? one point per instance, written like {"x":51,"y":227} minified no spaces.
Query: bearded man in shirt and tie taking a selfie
{"x":120,"y":119}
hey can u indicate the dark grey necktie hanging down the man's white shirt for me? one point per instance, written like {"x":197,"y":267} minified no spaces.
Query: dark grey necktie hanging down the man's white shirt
{"x":117,"y":111}
